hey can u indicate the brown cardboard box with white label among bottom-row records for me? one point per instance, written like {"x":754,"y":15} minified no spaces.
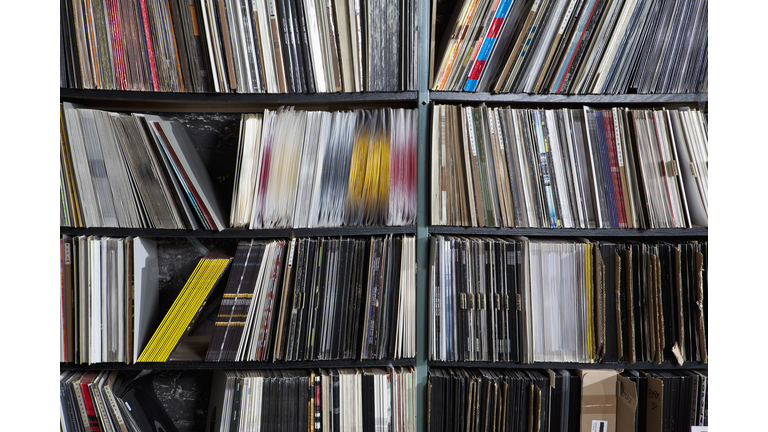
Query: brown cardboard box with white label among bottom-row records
{"x":598,"y":398}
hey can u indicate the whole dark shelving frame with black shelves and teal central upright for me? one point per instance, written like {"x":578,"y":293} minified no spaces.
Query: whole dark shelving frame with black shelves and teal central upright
{"x":174,"y":373}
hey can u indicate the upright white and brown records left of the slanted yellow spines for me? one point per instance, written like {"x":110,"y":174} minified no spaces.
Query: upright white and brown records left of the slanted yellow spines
{"x":109,"y":298}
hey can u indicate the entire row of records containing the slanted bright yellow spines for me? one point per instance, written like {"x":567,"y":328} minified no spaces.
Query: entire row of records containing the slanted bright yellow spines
{"x":281,"y":300}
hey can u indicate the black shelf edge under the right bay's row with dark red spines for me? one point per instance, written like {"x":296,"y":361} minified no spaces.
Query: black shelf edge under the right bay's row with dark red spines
{"x":572,"y":232}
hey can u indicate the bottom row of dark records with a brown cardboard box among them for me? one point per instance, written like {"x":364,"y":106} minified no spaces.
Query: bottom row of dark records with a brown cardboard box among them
{"x":511,"y":400}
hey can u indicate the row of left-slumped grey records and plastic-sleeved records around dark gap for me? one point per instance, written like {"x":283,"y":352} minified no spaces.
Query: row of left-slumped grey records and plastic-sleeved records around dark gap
{"x":294,"y":169}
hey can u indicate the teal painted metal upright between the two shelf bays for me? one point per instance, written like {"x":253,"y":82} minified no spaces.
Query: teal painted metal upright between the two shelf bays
{"x":422,"y":219}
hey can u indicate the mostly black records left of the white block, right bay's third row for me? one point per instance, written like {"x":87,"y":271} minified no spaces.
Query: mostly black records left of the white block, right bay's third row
{"x":476,"y":287}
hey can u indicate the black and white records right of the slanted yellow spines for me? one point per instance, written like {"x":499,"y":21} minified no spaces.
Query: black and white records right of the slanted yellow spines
{"x":318,"y":299}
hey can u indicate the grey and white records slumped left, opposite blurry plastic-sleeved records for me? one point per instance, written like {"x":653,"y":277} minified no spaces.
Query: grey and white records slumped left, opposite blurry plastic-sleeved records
{"x":132,"y":171}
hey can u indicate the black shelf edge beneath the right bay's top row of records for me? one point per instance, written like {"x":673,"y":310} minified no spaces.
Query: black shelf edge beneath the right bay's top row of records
{"x":621,"y":99}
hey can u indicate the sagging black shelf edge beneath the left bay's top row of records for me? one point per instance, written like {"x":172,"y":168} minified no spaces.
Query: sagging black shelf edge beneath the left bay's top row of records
{"x":236,"y":98}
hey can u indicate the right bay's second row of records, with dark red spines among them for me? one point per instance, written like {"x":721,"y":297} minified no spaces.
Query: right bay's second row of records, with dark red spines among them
{"x":569,"y":168}
